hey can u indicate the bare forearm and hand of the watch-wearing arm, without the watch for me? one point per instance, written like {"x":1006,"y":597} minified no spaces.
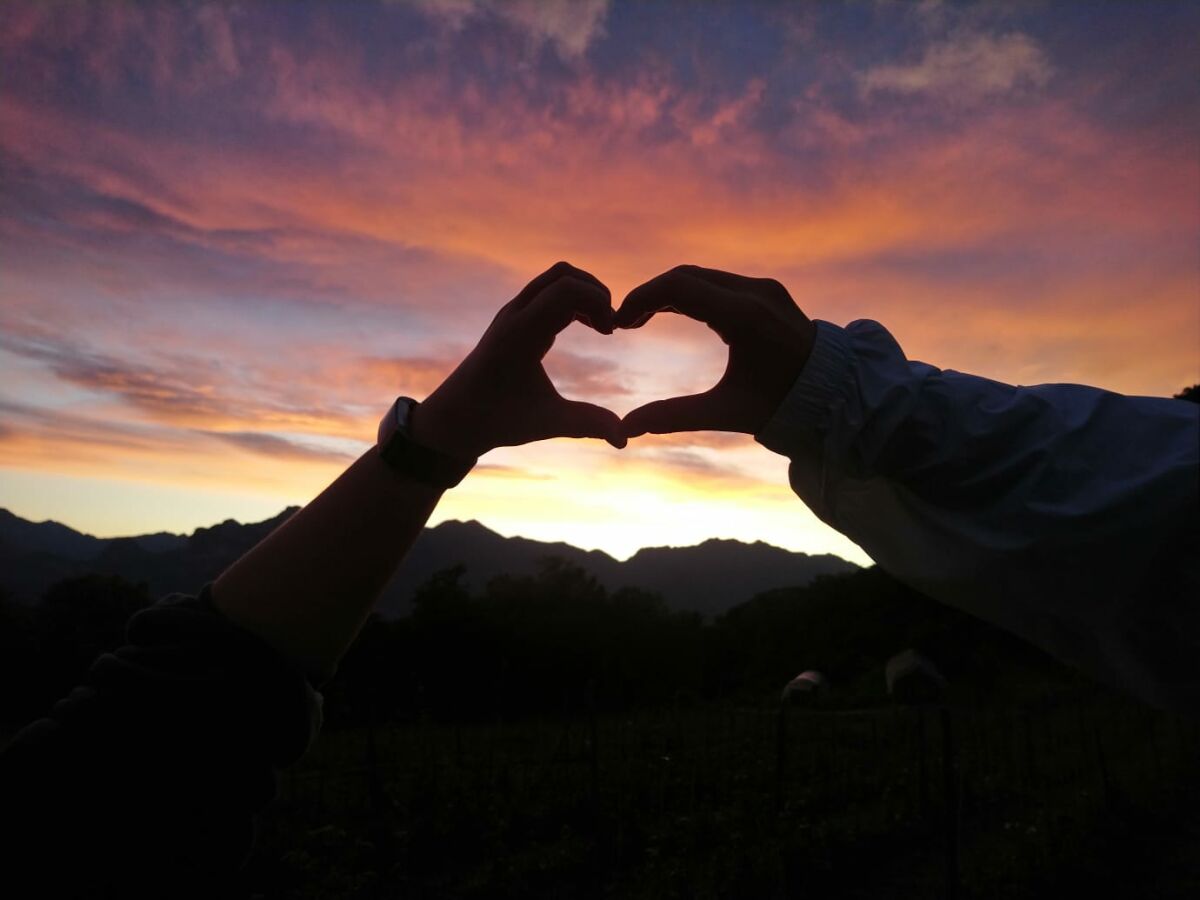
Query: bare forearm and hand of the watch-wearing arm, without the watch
{"x":309,"y":587}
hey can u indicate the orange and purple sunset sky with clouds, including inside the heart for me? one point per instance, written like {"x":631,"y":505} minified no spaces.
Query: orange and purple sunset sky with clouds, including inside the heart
{"x":232,"y":233}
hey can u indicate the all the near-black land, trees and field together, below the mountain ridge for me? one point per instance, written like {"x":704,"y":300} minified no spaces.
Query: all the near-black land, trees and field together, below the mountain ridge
{"x":489,"y":775}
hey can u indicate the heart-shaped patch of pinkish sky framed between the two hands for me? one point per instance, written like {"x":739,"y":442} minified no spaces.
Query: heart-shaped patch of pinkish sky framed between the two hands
{"x":670,"y":356}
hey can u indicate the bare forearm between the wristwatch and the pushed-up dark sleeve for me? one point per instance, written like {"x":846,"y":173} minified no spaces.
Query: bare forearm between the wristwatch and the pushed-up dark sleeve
{"x":311,"y":584}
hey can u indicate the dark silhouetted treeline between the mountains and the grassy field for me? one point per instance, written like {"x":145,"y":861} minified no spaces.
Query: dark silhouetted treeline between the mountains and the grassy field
{"x":560,"y":644}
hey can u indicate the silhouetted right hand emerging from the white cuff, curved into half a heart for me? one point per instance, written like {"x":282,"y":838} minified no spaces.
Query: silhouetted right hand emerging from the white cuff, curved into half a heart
{"x":770,"y":341}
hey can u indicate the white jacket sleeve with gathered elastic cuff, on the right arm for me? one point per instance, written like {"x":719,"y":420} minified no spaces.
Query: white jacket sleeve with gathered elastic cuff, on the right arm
{"x":1065,"y":514}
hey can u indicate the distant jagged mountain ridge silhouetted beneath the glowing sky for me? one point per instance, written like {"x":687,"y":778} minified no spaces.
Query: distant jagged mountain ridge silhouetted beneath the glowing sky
{"x":707,"y":579}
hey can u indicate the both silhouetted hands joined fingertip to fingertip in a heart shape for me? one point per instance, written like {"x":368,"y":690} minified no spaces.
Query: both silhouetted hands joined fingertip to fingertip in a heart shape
{"x":501,"y":394}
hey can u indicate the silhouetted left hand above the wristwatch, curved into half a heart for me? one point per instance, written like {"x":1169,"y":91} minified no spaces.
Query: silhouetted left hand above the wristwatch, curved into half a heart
{"x":500,"y":395}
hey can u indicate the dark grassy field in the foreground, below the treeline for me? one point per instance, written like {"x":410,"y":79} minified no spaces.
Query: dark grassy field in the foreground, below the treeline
{"x":1090,"y":795}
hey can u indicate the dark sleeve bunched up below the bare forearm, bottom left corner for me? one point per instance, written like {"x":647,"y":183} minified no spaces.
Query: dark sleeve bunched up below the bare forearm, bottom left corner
{"x":146,"y":779}
